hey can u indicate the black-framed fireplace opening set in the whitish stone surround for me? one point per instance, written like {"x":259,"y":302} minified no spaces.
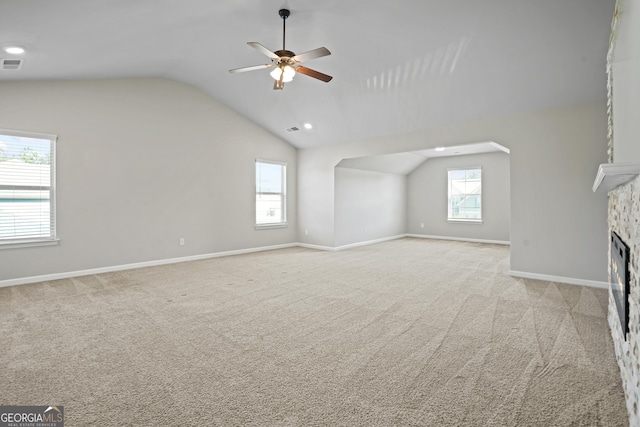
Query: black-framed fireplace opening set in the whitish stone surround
{"x":619,"y":280}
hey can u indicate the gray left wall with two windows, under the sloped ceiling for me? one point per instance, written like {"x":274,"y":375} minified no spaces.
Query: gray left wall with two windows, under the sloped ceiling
{"x":141,"y":163}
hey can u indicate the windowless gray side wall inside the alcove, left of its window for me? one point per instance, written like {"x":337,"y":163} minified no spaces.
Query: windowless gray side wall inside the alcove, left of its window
{"x":368,"y":205}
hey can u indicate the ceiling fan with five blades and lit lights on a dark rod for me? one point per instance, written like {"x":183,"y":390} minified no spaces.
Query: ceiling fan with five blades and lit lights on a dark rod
{"x":287,"y":63}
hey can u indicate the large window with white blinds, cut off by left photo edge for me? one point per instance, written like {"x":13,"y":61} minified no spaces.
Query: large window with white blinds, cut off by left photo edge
{"x":27,"y":188}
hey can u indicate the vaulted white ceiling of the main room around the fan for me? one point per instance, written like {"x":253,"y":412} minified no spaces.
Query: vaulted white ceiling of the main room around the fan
{"x":397,"y":65}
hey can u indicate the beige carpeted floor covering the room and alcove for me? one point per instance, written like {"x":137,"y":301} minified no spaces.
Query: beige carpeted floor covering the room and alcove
{"x":409,"y":332}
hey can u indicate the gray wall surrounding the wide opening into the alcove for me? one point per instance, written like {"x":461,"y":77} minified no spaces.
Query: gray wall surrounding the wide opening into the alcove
{"x":558,"y":225}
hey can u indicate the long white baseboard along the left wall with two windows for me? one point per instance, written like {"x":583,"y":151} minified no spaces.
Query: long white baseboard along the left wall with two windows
{"x":66,"y":275}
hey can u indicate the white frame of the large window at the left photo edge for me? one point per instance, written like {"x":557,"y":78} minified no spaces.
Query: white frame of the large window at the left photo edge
{"x":52,"y":238}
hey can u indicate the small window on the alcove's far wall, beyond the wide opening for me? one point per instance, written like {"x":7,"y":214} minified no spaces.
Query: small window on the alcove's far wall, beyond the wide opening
{"x":465,"y":195}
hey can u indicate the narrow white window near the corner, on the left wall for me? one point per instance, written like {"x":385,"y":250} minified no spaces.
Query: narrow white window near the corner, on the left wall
{"x":271,"y":183}
